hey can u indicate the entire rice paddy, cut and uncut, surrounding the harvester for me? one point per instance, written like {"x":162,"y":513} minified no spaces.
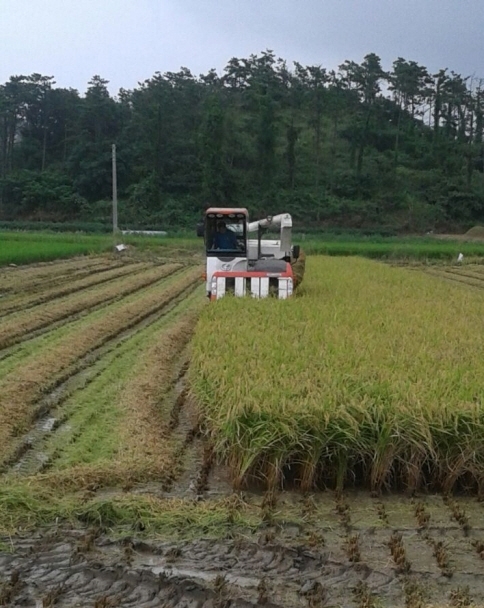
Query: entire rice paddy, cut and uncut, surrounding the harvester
{"x":153,"y":447}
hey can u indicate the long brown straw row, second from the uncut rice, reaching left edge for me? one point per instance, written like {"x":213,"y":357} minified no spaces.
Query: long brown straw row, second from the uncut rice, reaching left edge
{"x":21,"y":388}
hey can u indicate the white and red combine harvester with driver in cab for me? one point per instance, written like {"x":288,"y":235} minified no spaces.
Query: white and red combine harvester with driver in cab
{"x":243,"y":266}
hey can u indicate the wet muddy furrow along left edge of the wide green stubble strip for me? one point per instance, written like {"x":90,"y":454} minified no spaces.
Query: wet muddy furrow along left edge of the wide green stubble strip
{"x":50,"y":418}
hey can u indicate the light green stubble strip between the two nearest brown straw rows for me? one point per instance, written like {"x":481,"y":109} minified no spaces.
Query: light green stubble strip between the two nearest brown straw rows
{"x":75,"y":421}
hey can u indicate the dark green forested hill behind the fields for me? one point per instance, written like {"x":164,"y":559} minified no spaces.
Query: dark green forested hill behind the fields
{"x":354,"y":148}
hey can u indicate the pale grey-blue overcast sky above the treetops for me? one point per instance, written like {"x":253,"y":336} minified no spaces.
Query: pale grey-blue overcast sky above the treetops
{"x":127,"y":41}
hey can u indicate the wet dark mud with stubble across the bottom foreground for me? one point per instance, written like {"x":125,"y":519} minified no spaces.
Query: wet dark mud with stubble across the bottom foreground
{"x":277,"y":566}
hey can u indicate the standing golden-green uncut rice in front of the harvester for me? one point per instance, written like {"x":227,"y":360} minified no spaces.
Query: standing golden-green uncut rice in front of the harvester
{"x":370,"y":375}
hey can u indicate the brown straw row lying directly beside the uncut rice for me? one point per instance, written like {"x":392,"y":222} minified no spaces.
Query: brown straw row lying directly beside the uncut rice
{"x":140,"y":447}
